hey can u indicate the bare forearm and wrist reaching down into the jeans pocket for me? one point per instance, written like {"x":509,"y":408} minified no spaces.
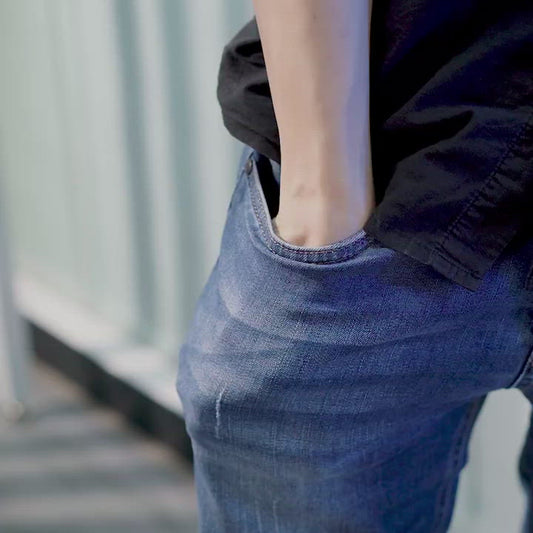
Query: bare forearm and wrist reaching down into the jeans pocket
{"x":317,"y":59}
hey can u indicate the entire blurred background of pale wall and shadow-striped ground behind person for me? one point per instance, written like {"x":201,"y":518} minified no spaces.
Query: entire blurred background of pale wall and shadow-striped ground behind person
{"x":115,"y":176}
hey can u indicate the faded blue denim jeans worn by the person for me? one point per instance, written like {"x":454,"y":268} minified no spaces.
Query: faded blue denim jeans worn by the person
{"x":334,"y":389}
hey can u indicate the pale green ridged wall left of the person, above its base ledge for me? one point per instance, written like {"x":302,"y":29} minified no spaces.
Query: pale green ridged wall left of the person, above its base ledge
{"x":116,"y":165}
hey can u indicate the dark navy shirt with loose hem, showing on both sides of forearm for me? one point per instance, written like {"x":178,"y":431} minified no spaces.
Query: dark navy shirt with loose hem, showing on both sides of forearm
{"x":451,"y":126}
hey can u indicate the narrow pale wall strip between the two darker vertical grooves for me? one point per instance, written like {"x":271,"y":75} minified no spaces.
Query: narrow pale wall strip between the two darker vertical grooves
{"x":160,"y":173}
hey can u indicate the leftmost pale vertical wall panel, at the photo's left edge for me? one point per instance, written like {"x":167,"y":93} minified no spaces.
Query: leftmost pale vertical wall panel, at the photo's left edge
{"x":32,"y":154}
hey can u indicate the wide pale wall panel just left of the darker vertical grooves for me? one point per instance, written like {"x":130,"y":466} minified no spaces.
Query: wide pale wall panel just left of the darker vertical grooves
{"x":100,"y":204}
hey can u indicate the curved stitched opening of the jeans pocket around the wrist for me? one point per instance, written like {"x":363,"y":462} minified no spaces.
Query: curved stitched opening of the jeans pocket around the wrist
{"x":260,"y":223}
